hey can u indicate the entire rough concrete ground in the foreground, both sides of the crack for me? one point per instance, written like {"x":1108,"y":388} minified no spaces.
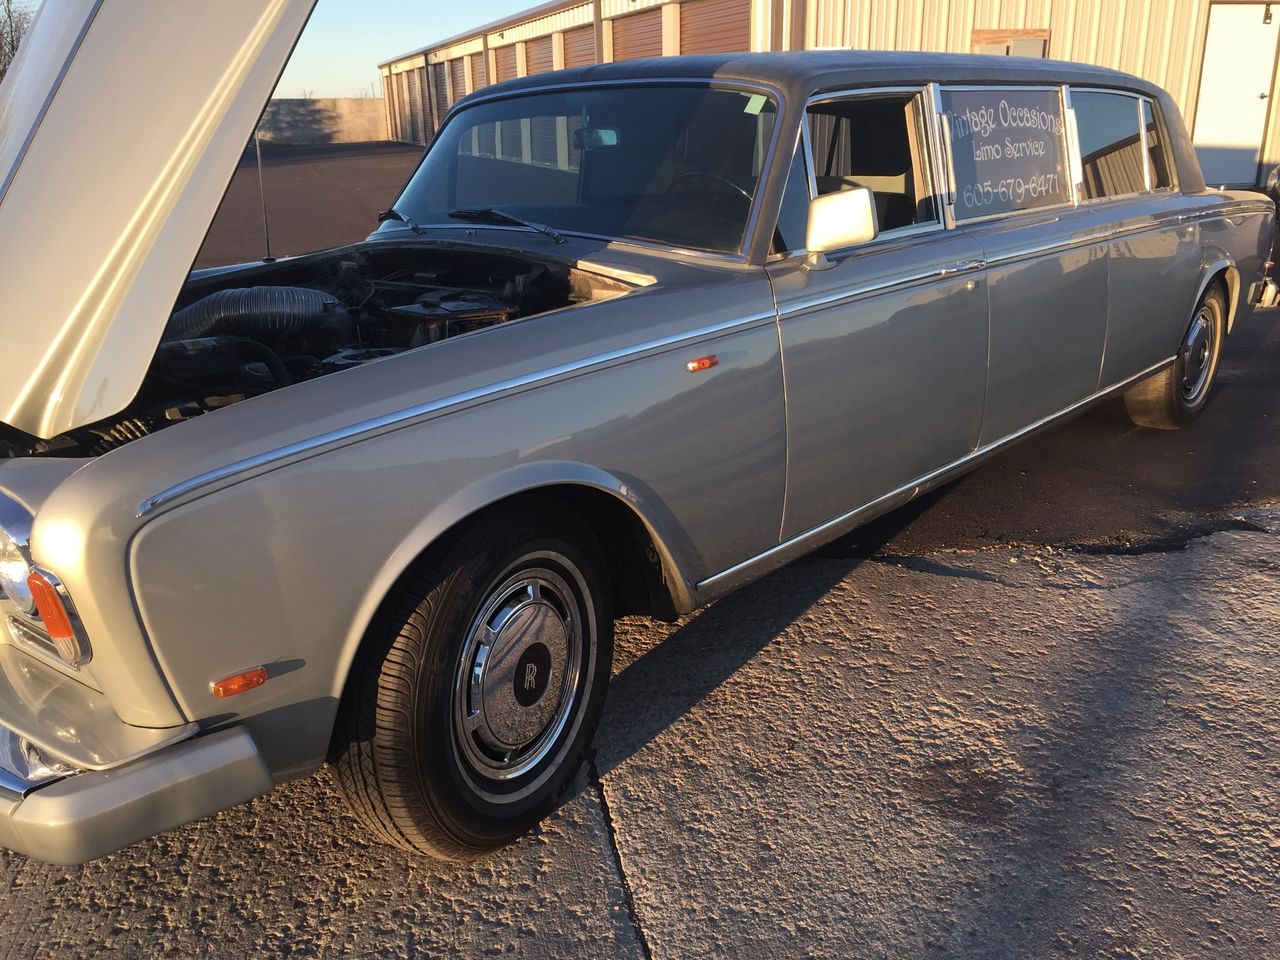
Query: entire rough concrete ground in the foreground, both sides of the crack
{"x":1009,"y":752}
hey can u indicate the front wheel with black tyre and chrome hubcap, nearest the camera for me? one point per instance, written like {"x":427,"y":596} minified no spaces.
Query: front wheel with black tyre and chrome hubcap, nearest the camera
{"x":479,"y":687}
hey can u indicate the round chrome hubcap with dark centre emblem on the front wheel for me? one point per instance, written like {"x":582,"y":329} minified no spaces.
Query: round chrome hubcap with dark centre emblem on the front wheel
{"x":518,"y":678}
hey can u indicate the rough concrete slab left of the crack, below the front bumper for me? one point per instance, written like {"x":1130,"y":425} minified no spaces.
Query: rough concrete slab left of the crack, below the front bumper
{"x":291,"y":875}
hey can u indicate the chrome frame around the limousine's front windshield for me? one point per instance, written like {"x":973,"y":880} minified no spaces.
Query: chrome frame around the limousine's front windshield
{"x":753,"y":220}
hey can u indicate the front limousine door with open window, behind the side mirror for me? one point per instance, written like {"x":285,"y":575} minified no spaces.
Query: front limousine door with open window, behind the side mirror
{"x":885,"y":353}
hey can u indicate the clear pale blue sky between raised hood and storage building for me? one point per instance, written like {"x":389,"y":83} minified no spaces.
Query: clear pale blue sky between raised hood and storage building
{"x":346,"y":40}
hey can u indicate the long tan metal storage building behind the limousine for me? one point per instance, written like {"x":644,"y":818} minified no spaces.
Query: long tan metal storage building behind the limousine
{"x":1217,"y":57}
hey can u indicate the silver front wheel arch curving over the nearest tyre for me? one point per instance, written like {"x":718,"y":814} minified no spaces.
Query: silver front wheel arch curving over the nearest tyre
{"x":644,"y":568}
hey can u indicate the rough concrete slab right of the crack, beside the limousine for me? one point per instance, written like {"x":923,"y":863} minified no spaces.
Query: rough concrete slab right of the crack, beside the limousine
{"x":1014,"y":753}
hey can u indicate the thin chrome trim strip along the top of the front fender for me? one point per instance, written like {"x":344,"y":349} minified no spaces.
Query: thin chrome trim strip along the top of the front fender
{"x":424,"y":412}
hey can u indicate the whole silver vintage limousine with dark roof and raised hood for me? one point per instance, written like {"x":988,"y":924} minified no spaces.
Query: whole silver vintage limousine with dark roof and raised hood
{"x":630,"y":337}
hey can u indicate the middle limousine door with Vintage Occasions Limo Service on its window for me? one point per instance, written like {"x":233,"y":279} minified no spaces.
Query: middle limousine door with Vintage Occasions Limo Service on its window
{"x":1046,"y":258}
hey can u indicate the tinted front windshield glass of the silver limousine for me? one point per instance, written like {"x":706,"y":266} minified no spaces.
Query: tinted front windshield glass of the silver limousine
{"x":675,"y":164}
